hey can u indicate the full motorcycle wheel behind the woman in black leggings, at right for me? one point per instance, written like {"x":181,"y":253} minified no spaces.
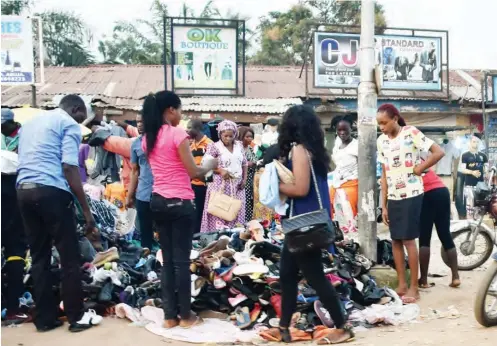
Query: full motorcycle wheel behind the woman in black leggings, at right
{"x":473,"y":263}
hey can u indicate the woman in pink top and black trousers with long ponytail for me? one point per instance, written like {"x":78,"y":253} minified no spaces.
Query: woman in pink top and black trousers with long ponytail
{"x":173,"y":208}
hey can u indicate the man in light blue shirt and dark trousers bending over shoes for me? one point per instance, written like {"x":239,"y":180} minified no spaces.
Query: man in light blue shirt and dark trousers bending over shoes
{"x":48,"y":172}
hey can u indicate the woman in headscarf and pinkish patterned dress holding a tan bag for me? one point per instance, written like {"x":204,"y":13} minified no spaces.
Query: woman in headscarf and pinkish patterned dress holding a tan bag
{"x":231,"y":175}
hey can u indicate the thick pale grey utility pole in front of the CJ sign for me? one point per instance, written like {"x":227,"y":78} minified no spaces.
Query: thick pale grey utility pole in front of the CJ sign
{"x":367,"y":106}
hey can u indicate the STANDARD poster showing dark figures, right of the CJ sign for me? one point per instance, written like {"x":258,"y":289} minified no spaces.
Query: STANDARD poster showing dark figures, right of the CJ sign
{"x":411,"y":63}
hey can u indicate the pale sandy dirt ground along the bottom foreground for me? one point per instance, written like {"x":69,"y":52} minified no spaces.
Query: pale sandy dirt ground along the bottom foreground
{"x":459,"y":330}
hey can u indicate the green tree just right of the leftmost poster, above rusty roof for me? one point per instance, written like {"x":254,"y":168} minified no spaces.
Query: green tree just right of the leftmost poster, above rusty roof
{"x":65,"y":39}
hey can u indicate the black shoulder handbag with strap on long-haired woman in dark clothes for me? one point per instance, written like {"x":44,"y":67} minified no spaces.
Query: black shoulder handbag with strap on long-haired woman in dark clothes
{"x":309,"y":231}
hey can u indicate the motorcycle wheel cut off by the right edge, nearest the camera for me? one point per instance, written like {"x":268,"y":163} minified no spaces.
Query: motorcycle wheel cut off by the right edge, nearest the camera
{"x":484,"y":317}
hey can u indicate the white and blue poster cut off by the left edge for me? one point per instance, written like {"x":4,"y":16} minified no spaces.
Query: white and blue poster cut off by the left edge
{"x":17,"y":63}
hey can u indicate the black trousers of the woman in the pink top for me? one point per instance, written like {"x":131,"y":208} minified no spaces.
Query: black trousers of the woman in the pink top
{"x":175,"y":219}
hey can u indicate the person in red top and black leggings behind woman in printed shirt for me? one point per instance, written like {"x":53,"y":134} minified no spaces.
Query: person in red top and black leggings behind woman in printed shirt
{"x":436,"y":211}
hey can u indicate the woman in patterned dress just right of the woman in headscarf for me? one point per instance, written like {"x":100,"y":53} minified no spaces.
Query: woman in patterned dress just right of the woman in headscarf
{"x":246,"y":136}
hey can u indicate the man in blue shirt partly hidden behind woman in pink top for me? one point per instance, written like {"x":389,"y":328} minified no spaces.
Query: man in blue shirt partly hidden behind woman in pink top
{"x":140,"y":187}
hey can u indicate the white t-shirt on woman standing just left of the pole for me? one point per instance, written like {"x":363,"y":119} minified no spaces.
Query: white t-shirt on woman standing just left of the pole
{"x":345,"y":160}
